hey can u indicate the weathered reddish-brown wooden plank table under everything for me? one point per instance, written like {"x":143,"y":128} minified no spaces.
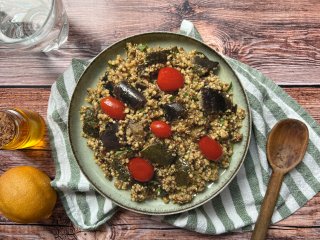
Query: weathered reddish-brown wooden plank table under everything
{"x":280,"y":38}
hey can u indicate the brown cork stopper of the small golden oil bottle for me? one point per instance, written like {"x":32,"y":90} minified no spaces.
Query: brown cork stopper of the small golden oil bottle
{"x":7,"y":129}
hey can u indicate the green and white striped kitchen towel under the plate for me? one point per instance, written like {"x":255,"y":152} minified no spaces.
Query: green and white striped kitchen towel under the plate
{"x":237,"y":207}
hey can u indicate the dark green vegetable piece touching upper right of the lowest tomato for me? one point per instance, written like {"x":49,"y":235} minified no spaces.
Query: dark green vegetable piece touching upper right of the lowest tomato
{"x":159,"y":154}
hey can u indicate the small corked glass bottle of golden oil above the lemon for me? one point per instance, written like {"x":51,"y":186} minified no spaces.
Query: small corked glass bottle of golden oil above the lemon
{"x":20,"y":128}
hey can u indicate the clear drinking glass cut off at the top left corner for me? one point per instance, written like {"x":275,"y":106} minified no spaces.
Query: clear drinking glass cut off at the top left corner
{"x":40,"y":24}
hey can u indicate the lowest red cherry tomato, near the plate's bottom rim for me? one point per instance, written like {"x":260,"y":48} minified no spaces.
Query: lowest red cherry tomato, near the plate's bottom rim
{"x":140,"y":169}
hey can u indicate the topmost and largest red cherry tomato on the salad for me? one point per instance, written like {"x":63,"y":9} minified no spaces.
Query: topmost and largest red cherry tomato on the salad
{"x":170,"y":79}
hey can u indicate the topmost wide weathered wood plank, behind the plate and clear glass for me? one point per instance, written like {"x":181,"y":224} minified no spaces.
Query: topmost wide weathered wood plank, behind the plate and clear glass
{"x":279,"y":38}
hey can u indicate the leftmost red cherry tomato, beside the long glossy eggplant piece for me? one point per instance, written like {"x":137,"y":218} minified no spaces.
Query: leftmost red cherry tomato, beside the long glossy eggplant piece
{"x":113,"y":107}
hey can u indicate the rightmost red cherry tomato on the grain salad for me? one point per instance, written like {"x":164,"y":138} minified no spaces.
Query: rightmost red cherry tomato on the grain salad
{"x":210,"y":148}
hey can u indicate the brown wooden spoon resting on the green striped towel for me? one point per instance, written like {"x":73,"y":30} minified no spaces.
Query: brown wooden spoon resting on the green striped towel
{"x":286,"y":146}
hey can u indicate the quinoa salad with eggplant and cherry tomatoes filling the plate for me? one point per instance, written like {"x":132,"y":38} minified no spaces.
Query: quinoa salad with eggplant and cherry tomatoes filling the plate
{"x":161,"y":123}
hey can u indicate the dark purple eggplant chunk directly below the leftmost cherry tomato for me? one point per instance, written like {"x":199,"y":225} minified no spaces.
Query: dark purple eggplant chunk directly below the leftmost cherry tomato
{"x":109,"y":138}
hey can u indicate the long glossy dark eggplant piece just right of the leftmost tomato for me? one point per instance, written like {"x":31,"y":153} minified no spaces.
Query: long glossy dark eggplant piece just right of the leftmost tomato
{"x":129,"y":95}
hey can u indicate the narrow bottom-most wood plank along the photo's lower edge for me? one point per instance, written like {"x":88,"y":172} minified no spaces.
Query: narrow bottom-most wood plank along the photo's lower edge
{"x":34,"y":232}
